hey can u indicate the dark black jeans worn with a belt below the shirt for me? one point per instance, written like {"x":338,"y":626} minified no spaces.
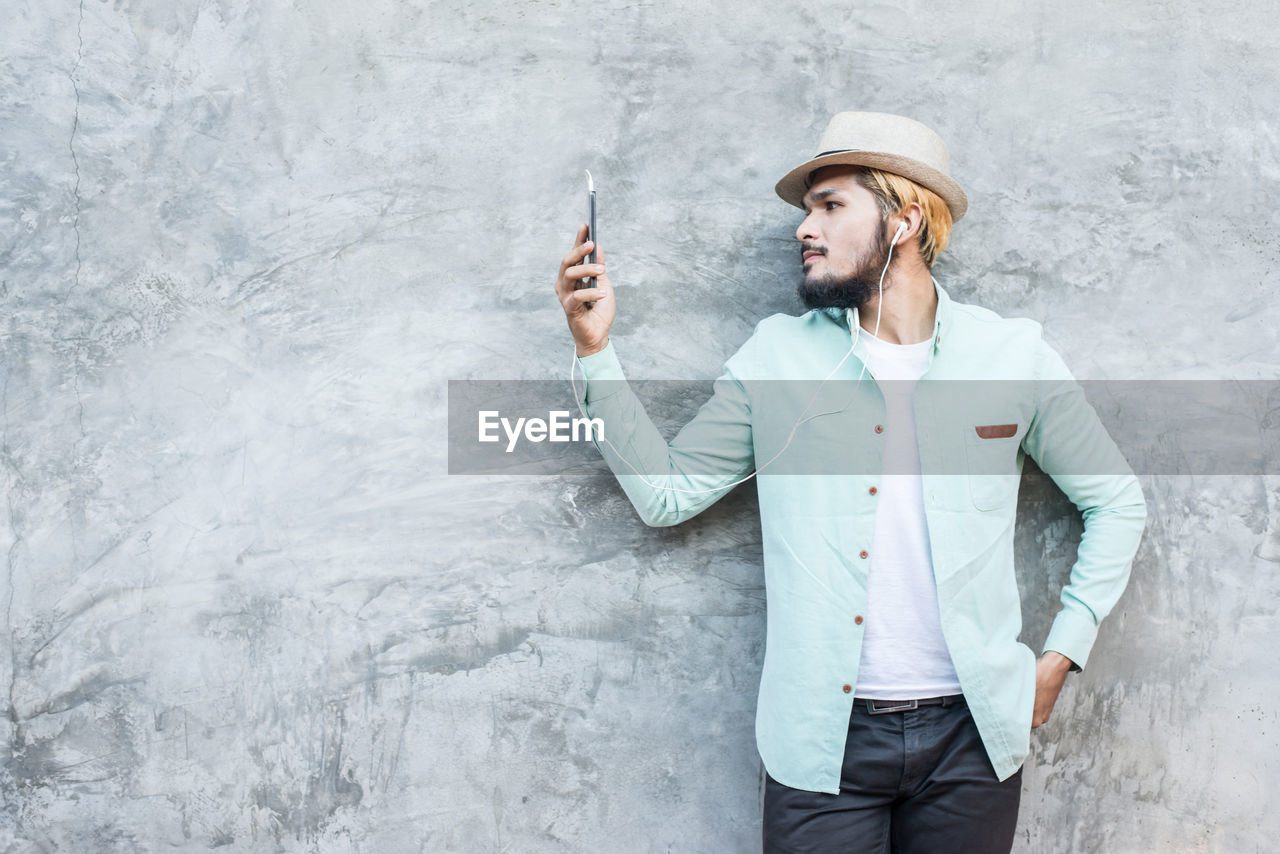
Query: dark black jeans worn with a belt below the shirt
{"x":912,"y":782}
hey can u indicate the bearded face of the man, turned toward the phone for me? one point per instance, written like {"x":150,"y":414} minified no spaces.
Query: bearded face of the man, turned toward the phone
{"x":844,"y":244}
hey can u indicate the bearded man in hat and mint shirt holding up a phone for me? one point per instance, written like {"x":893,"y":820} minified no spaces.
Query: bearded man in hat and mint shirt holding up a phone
{"x":897,"y":702}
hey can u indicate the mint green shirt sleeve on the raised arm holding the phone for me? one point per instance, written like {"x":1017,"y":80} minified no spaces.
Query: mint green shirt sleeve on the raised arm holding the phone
{"x":670,"y":483}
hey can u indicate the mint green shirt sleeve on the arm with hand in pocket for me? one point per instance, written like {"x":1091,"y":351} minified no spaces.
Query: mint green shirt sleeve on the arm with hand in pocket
{"x":1072,"y":446}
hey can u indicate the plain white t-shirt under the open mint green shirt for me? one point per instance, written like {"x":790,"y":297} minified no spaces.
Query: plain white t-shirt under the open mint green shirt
{"x":904,"y":654}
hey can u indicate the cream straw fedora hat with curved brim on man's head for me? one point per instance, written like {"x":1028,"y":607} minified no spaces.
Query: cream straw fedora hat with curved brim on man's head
{"x":884,"y":141}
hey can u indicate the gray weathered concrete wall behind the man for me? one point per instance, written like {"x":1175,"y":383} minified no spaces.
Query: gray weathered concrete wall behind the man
{"x":245,"y":246}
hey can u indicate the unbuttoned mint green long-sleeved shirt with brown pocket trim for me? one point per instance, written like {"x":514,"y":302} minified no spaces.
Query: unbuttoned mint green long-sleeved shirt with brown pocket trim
{"x":819,"y":509}
